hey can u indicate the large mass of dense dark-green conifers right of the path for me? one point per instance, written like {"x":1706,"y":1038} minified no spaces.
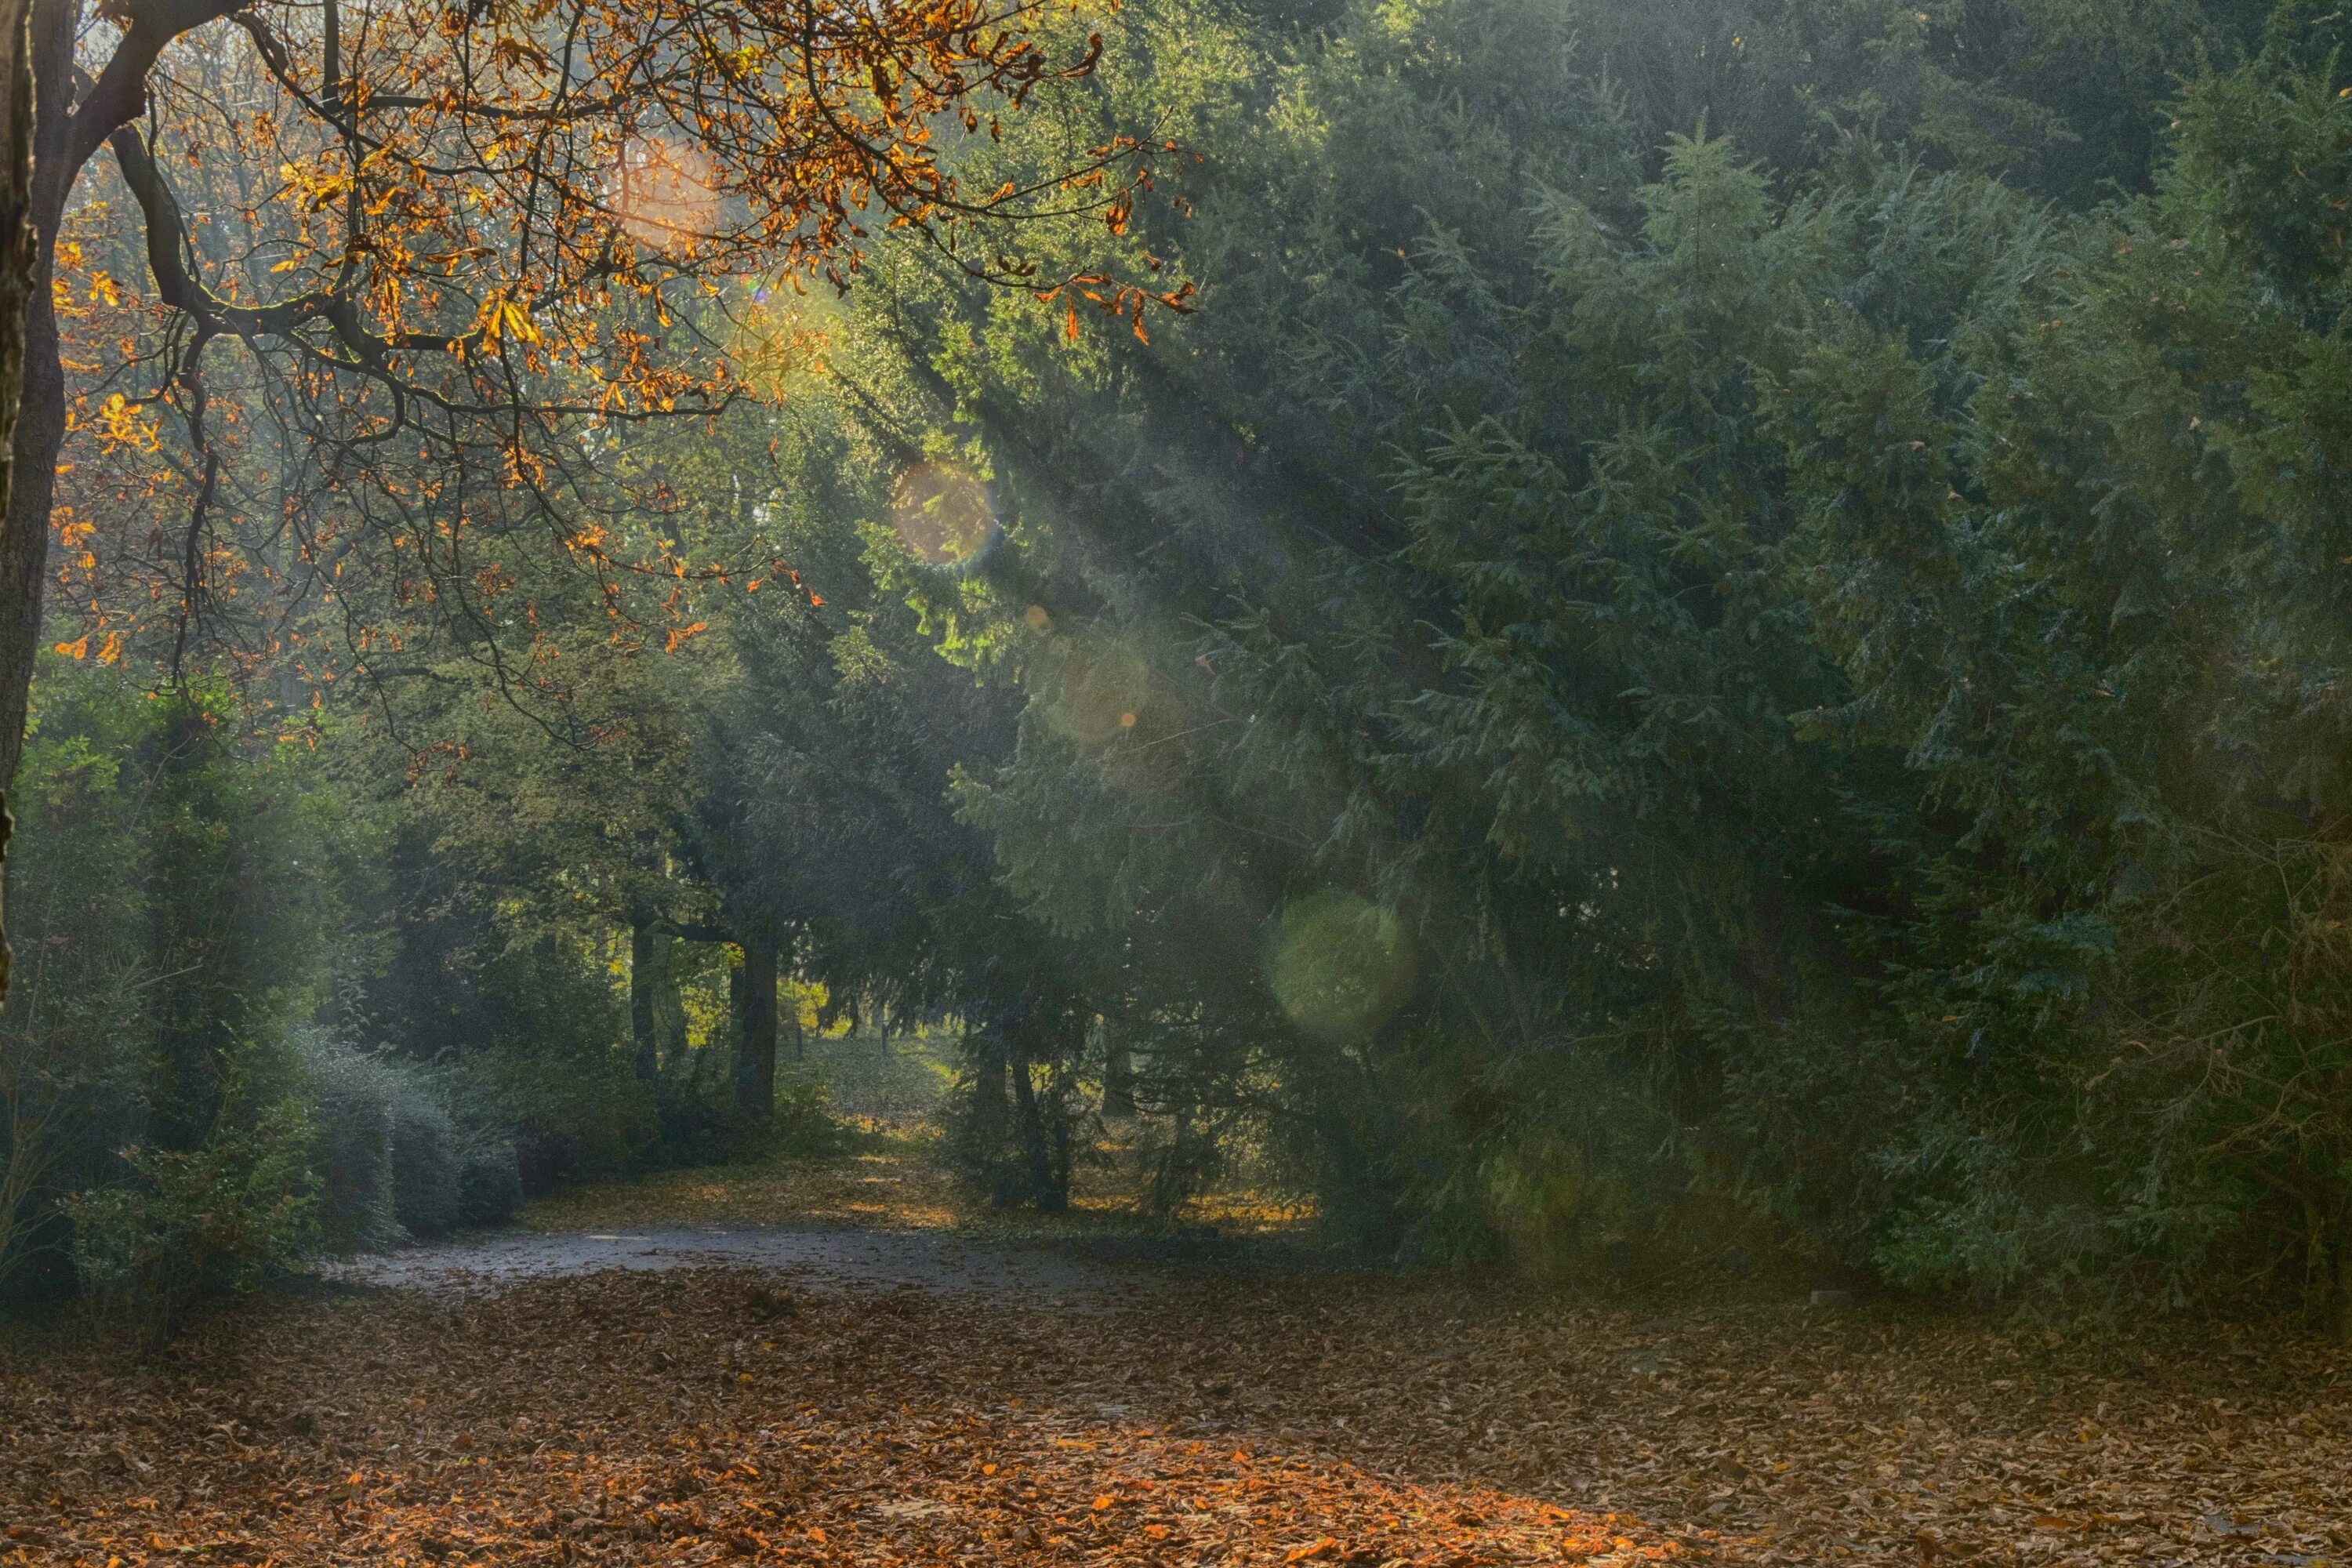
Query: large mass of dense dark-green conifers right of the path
{"x":1763,"y":629}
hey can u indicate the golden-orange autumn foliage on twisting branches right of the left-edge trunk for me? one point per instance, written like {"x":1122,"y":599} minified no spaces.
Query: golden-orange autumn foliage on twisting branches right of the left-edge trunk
{"x":377,"y":300}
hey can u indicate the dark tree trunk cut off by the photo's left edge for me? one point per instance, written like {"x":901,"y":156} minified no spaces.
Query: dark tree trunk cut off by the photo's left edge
{"x":25,"y":295}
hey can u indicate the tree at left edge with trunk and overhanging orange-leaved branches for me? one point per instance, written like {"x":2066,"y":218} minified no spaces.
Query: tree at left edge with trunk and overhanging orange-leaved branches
{"x":462,"y":234}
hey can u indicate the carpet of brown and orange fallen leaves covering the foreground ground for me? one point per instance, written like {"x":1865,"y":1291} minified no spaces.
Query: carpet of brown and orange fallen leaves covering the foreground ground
{"x":1278,"y":1419}
